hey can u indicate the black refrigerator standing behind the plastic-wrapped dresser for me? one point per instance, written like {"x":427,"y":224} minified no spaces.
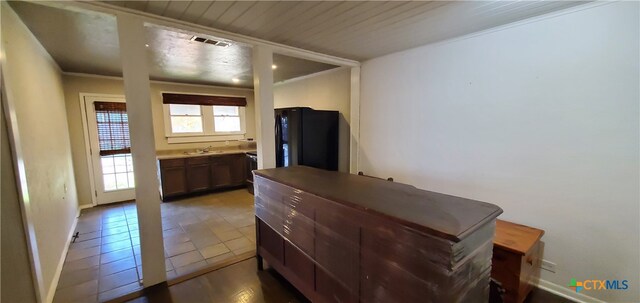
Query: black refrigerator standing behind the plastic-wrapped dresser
{"x":305,"y":136}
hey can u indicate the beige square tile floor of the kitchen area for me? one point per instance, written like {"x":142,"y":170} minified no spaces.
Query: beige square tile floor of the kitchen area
{"x":104,"y":262}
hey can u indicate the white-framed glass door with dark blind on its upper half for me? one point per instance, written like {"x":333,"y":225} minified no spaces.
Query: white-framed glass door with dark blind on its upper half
{"x":110,"y":149}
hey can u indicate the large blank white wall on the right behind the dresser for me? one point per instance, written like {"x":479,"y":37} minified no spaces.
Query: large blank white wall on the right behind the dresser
{"x":540,"y":118}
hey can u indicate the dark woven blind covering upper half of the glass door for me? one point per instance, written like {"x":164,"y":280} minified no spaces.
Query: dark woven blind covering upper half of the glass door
{"x":113,"y":128}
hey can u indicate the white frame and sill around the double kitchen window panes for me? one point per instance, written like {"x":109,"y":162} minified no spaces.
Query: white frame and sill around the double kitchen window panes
{"x":209,"y":133}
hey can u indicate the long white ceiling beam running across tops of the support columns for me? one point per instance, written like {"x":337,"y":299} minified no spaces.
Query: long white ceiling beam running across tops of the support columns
{"x":187,"y":26}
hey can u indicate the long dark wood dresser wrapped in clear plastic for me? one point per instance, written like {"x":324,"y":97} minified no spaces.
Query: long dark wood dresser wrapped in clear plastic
{"x":339,"y":237}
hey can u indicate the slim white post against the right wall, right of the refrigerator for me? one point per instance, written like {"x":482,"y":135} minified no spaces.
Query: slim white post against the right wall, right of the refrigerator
{"x":355,"y":120}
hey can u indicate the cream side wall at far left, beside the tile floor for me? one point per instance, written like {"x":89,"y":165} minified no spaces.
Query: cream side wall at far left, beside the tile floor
{"x":34,"y":85}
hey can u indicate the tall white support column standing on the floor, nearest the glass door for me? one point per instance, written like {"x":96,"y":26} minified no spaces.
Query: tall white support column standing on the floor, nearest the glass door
{"x":132,"y":37}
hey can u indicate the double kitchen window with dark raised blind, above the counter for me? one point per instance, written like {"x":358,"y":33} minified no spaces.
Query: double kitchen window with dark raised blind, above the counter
{"x":201,"y":118}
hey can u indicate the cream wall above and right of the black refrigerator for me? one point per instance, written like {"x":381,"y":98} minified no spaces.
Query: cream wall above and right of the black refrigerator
{"x":329,"y":90}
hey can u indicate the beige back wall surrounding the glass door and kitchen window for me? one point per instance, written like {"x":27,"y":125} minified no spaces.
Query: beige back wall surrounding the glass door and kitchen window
{"x":74,"y":85}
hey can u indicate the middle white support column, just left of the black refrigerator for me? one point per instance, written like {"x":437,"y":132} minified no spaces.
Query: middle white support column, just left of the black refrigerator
{"x":263,"y":92}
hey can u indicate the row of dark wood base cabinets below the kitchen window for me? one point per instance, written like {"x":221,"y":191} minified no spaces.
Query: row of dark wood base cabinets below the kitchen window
{"x":193,"y":175}
